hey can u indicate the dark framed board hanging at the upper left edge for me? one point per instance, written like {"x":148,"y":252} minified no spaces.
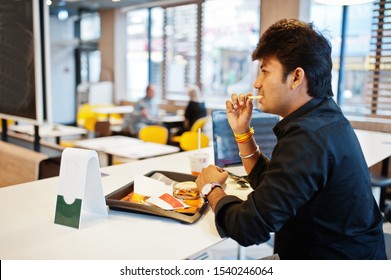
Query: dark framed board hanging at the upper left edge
{"x":24,"y":89}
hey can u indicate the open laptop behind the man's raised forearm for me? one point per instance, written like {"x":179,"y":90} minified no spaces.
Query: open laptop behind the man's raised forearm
{"x":226,"y":152}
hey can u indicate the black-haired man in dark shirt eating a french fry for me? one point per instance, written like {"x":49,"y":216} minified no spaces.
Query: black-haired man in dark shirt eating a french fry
{"x":314,"y":192}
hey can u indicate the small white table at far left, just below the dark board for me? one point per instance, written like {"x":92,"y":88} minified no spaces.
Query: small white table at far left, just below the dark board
{"x":49,"y":130}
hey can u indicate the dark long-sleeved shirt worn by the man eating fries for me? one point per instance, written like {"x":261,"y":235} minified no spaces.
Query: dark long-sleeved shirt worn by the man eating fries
{"x":314,"y":192}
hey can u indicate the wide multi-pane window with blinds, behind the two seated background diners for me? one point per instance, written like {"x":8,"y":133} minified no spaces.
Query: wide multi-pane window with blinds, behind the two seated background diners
{"x":178,"y":53}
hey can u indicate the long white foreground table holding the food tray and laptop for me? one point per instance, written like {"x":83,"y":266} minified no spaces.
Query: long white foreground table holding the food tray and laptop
{"x":28,"y":230}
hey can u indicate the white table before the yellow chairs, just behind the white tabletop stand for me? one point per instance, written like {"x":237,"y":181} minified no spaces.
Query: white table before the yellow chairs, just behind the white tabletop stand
{"x":126,"y":147}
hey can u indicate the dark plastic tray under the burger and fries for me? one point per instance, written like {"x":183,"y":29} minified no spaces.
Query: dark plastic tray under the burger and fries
{"x":113,"y":200}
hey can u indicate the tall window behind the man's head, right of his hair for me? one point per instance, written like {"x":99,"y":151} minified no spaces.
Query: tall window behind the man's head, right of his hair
{"x":353,"y":88}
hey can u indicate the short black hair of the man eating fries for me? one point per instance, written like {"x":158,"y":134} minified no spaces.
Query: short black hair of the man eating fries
{"x":298,"y":44}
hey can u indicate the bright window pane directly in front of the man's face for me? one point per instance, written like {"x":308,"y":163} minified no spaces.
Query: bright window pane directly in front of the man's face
{"x":227,"y":47}
